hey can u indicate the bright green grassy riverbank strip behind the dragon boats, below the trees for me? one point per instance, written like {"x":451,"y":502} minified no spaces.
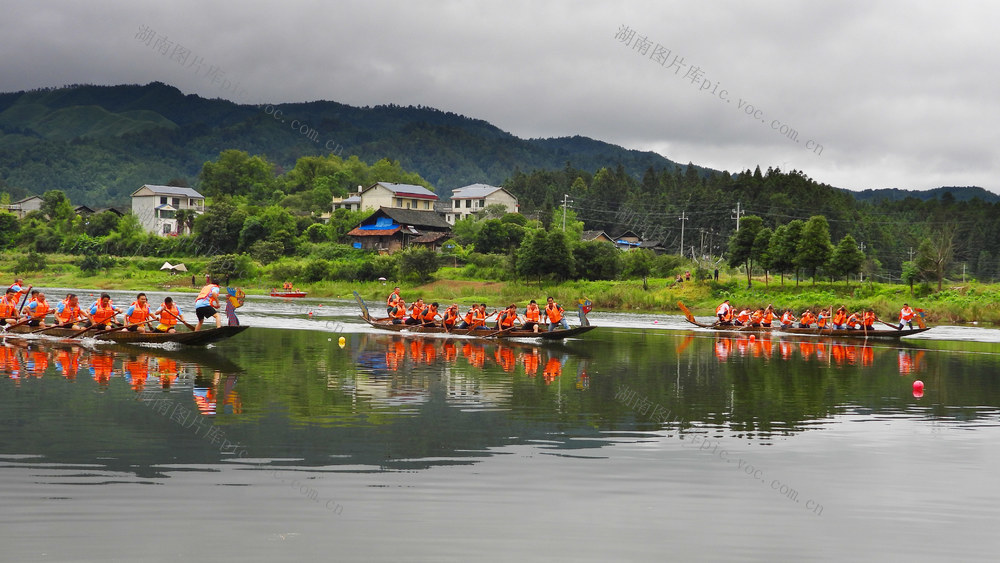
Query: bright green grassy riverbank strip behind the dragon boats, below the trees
{"x":955,"y":304}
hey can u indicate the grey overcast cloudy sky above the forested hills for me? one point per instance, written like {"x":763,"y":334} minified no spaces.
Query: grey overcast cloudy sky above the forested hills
{"x":854,"y":94}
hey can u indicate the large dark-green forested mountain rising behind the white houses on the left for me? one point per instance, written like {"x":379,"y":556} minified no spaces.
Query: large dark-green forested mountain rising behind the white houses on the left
{"x":100,"y":143}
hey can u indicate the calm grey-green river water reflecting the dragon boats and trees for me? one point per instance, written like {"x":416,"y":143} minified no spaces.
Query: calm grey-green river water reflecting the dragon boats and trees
{"x":642,"y":440}
